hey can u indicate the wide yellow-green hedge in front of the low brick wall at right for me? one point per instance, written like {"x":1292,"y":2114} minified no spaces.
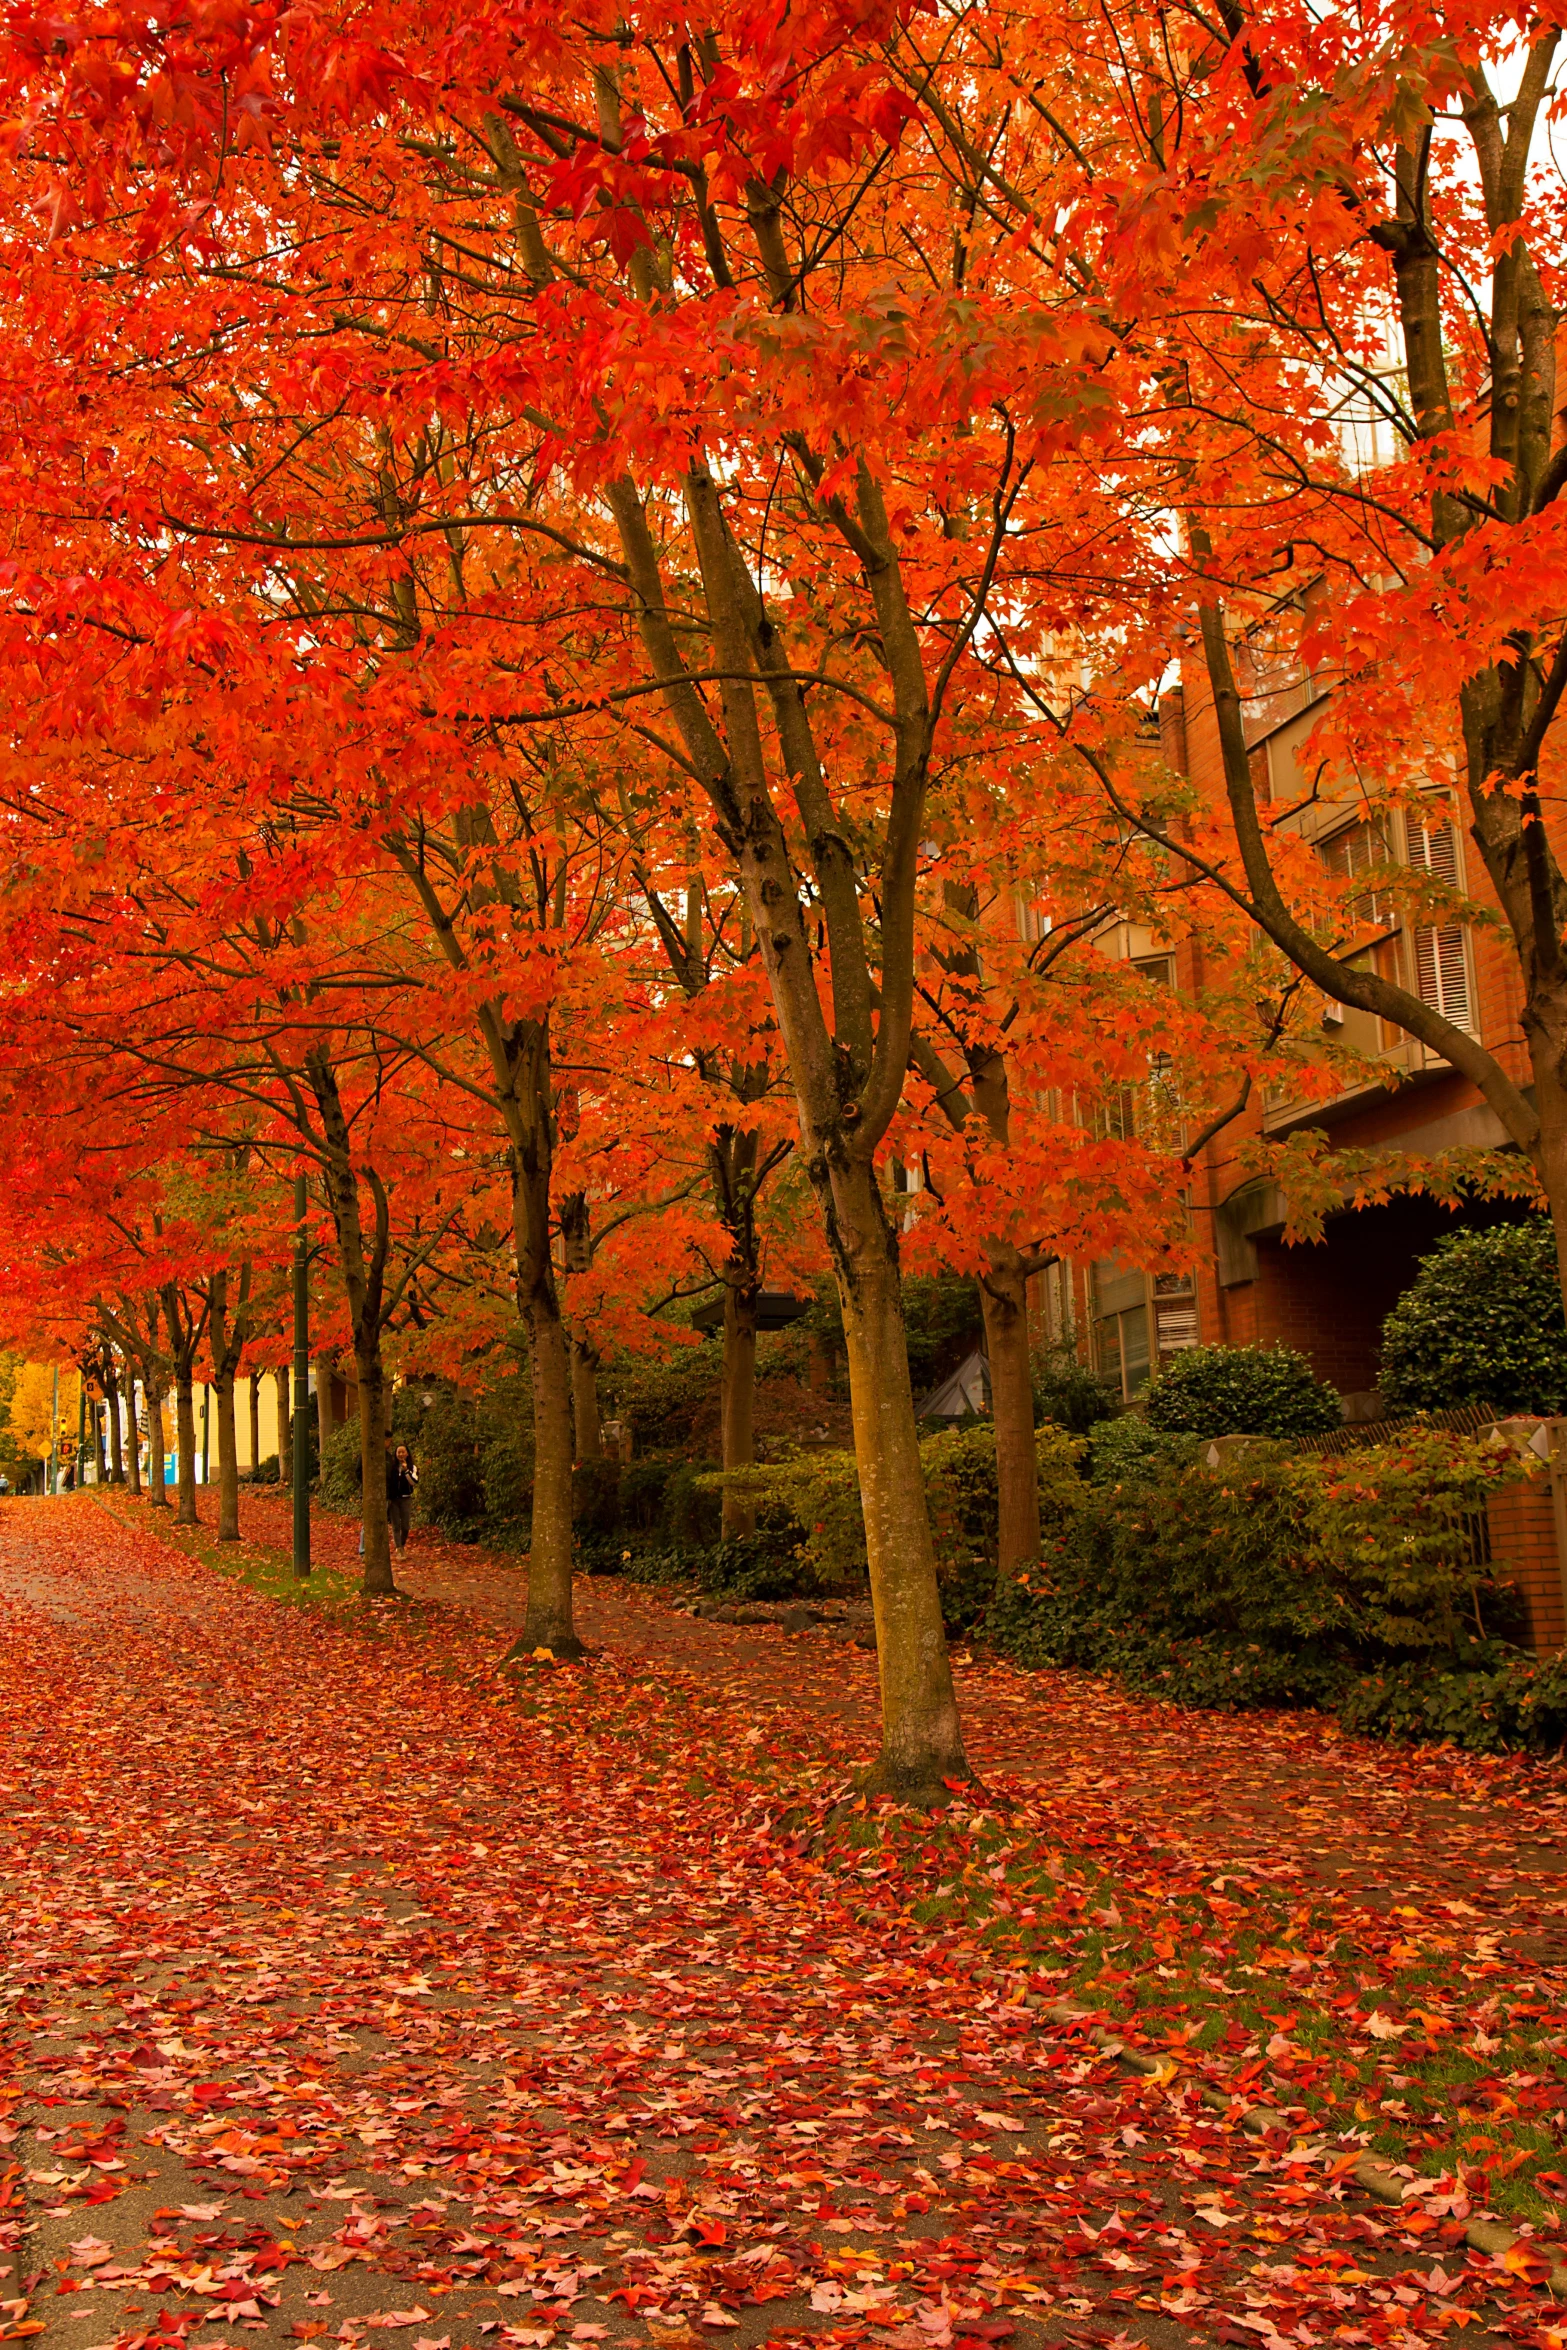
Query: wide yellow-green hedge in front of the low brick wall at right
{"x":1293,"y":1580}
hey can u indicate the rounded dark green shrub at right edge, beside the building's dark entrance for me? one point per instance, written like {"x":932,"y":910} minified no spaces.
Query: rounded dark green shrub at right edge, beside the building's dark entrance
{"x":1484,"y":1324}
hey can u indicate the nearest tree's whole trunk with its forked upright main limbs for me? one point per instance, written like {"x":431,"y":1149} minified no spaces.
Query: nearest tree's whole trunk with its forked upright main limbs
{"x":849,"y":1068}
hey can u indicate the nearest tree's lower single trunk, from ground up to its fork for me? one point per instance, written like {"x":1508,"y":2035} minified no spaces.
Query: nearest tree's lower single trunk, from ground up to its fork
{"x":922,"y":1747}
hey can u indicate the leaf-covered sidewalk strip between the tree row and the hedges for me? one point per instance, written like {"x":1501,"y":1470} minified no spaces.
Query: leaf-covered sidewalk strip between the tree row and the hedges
{"x":1284,"y":1799}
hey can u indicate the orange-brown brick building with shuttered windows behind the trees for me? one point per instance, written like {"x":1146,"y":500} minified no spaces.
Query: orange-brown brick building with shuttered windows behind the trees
{"x":1249,"y":1287}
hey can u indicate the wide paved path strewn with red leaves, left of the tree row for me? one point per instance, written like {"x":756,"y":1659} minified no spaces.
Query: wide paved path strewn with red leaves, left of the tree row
{"x":347,"y":1999}
